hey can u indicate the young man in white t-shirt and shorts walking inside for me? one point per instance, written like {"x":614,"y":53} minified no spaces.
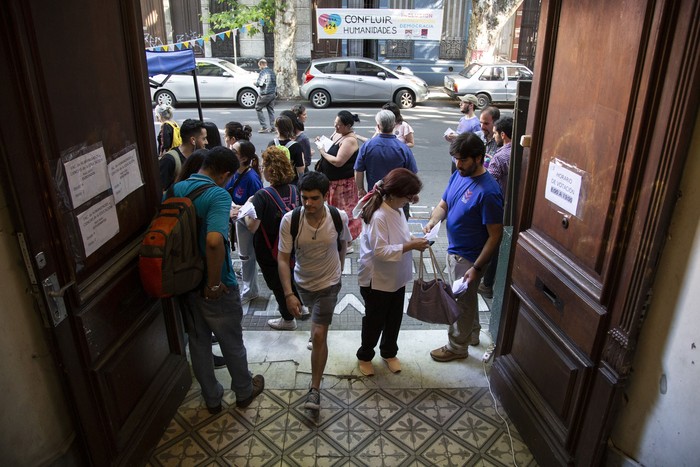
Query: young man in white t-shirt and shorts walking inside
{"x":319,"y":259}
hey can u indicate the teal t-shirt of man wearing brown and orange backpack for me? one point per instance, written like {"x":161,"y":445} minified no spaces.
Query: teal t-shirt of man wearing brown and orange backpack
{"x":213,"y":208}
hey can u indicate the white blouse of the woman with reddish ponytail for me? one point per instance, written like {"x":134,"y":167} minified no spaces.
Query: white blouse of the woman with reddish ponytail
{"x":382,"y":261}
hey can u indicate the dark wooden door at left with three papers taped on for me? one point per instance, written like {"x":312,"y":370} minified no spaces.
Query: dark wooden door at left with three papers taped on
{"x":75,"y":108}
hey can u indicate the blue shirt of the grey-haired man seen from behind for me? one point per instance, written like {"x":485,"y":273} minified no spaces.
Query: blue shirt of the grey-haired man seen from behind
{"x":380,"y":155}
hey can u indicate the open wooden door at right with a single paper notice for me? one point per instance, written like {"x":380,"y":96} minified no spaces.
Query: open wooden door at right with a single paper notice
{"x":615,"y":93}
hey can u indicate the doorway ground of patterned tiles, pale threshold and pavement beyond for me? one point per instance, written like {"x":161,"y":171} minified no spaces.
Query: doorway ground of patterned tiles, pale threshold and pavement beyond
{"x":430,"y":414}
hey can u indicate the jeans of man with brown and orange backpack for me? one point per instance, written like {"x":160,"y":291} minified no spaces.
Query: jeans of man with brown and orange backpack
{"x":222,"y":317}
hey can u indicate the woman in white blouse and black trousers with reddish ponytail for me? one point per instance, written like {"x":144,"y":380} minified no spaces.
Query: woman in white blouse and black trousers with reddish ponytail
{"x":385,"y":265}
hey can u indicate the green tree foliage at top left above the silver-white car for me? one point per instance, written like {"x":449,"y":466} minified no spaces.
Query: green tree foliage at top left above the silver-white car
{"x":246,"y":15}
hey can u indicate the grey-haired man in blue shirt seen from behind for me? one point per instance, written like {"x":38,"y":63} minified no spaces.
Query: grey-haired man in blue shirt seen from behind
{"x":382,"y":154}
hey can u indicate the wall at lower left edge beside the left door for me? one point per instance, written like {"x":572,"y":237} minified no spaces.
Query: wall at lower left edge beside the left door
{"x":35,"y":426}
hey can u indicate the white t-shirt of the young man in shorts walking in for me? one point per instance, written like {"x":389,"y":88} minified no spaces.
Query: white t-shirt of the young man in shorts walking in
{"x":317,"y":260}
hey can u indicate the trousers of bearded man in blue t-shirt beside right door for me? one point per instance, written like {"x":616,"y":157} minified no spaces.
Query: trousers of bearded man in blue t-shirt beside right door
{"x":460,"y":332}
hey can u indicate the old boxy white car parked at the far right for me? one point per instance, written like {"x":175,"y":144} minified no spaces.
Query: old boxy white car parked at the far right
{"x":493,"y":82}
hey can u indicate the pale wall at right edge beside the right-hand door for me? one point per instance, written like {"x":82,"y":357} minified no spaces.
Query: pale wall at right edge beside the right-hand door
{"x":660,"y":423}
